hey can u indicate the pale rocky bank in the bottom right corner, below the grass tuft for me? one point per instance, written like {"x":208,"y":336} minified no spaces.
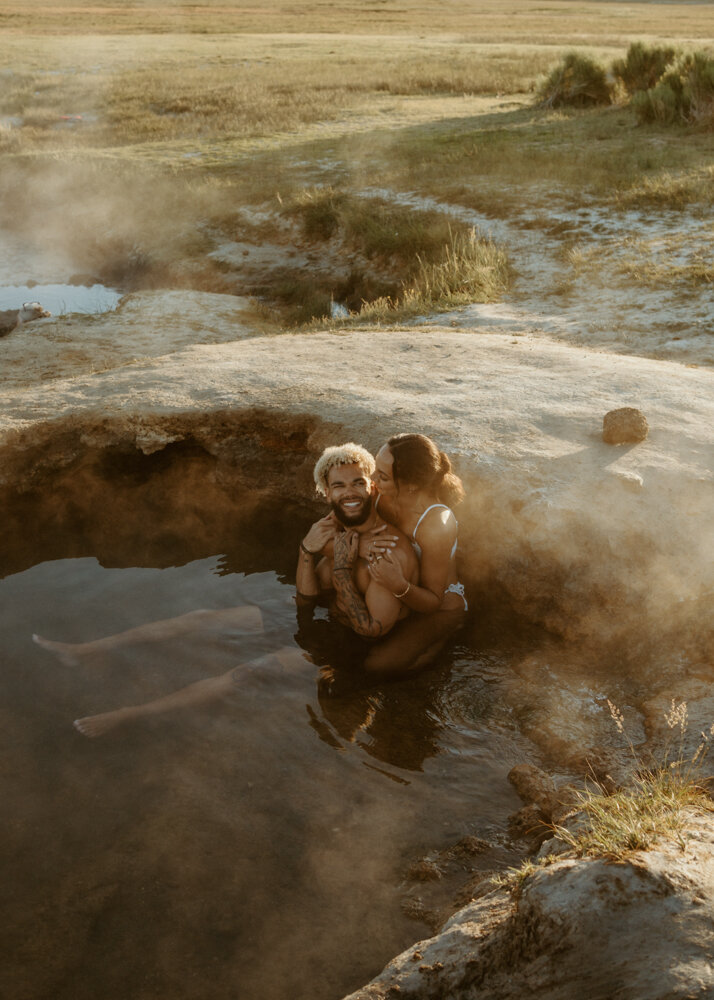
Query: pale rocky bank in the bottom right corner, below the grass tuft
{"x":639,"y":929}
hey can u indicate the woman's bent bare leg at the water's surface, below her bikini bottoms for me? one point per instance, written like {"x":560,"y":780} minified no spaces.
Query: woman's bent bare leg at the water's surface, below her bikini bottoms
{"x":413,"y":643}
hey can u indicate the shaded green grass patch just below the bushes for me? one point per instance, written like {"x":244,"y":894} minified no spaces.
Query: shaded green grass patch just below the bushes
{"x":501,"y":164}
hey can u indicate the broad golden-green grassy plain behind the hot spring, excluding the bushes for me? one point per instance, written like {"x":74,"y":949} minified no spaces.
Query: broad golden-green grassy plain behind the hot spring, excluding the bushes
{"x":140,"y":136}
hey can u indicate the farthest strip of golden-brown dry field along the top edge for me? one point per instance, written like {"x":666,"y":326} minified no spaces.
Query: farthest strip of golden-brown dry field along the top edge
{"x":487,"y":20}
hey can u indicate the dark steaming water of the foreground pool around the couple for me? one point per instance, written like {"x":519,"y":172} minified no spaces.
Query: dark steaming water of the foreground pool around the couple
{"x":253,"y":848}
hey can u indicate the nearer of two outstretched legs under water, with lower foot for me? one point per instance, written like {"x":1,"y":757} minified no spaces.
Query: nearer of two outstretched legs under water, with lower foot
{"x":192,"y":696}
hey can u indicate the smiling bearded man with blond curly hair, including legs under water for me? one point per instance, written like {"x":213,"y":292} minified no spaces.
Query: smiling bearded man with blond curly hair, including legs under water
{"x":332,"y":564}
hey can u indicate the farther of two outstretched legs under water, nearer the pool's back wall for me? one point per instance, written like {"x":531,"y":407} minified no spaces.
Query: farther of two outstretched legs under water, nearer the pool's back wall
{"x":247,"y":618}
